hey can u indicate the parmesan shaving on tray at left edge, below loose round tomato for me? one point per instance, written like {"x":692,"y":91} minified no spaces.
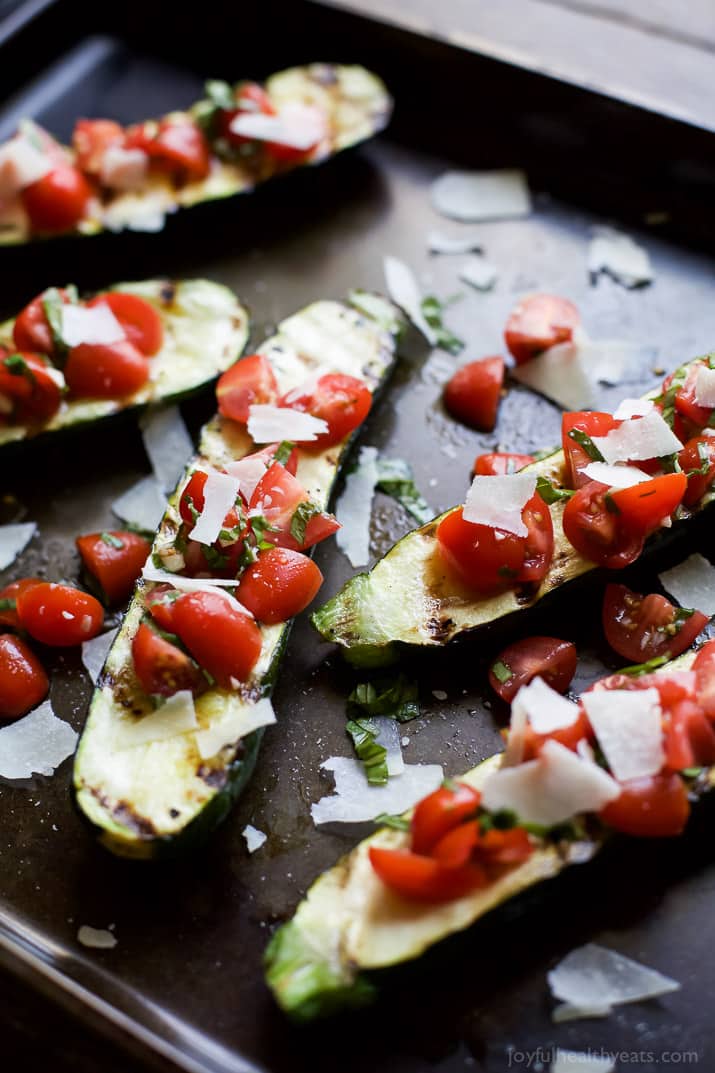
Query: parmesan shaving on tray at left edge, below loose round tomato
{"x":38,"y":743}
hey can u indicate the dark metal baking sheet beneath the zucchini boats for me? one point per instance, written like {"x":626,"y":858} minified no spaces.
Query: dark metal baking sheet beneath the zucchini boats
{"x":184,"y":983}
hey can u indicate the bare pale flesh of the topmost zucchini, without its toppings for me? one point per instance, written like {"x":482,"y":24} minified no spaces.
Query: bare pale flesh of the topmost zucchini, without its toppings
{"x":355,"y":100}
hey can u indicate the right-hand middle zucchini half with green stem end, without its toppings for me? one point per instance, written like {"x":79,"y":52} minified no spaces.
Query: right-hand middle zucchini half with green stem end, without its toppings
{"x":412,"y":598}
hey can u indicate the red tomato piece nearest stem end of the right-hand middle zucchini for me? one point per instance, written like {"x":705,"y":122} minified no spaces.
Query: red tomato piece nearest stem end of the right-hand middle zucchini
{"x":489,"y":561}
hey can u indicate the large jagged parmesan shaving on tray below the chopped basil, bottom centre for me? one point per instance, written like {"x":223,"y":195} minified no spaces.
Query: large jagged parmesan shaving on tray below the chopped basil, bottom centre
{"x":356,"y":801}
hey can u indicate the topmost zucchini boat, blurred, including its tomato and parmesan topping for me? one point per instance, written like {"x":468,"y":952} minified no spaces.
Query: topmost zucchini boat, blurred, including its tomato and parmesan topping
{"x":133,"y":179}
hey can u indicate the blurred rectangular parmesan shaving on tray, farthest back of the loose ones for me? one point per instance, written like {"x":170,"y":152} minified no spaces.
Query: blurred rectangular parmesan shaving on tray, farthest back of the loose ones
{"x":483,"y":196}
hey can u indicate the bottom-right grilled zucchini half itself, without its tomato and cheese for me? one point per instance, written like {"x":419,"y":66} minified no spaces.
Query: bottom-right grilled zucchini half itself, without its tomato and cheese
{"x":351,"y":924}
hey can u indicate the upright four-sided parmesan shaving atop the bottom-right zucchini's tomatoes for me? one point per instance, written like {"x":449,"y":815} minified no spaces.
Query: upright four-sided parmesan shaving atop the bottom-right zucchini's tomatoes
{"x":629,"y":727}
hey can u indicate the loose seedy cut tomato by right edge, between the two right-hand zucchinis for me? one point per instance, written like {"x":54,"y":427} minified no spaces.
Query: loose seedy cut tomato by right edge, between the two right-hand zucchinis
{"x":641,"y":628}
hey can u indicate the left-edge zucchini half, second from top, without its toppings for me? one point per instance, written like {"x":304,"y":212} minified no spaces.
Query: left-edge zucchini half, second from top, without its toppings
{"x":205,"y":331}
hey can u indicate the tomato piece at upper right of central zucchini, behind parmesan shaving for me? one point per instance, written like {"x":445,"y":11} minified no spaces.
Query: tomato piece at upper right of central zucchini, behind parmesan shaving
{"x":341,"y":401}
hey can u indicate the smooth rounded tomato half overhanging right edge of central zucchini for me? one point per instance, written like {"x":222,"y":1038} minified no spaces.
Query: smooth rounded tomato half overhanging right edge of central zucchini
{"x":280,"y":585}
